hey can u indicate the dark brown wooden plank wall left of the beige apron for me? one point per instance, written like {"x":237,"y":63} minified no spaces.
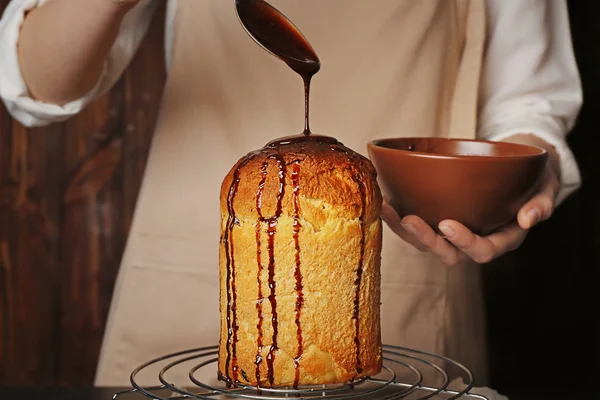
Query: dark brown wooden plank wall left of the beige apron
{"x":67,"y":193}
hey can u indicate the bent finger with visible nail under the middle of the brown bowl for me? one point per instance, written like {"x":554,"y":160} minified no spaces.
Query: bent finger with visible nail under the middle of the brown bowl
{"x":480,"y":249}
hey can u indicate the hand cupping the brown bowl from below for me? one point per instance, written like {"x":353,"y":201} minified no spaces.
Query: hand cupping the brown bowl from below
{"x":460,"y":244}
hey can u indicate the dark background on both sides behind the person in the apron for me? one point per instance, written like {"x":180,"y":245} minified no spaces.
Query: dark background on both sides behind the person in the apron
{"x":67,"y":194}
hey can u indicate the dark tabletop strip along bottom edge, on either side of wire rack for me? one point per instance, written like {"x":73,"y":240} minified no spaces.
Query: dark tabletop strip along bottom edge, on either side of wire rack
{"x":107,"y":394}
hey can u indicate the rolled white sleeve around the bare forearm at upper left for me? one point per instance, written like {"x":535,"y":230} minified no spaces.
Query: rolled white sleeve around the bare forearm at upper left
{"x":14,"y":91}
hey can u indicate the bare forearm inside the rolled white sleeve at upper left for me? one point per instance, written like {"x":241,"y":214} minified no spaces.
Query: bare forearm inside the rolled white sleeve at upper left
{"x":63,"y":46}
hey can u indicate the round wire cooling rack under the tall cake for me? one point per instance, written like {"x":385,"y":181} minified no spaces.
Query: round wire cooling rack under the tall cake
{"x":406,"y":374}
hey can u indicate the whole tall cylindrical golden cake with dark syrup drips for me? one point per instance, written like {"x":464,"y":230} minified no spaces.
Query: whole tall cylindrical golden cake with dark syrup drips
{"x":300,"y":267}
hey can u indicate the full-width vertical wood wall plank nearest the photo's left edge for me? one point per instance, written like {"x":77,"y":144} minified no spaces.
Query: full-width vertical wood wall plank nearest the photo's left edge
{"x":35,"y":170}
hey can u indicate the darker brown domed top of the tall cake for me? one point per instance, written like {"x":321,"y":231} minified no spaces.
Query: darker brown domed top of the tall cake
{"x":319,"y":172}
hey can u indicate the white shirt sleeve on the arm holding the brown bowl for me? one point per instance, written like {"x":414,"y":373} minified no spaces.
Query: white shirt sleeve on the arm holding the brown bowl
{"x":530,"y":81}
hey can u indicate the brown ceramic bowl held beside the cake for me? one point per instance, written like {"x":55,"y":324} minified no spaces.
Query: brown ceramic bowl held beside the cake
{"x":481,"y":184}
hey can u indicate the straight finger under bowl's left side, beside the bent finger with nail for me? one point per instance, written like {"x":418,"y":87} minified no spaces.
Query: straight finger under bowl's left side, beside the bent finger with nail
{"x":431,"y":241}
